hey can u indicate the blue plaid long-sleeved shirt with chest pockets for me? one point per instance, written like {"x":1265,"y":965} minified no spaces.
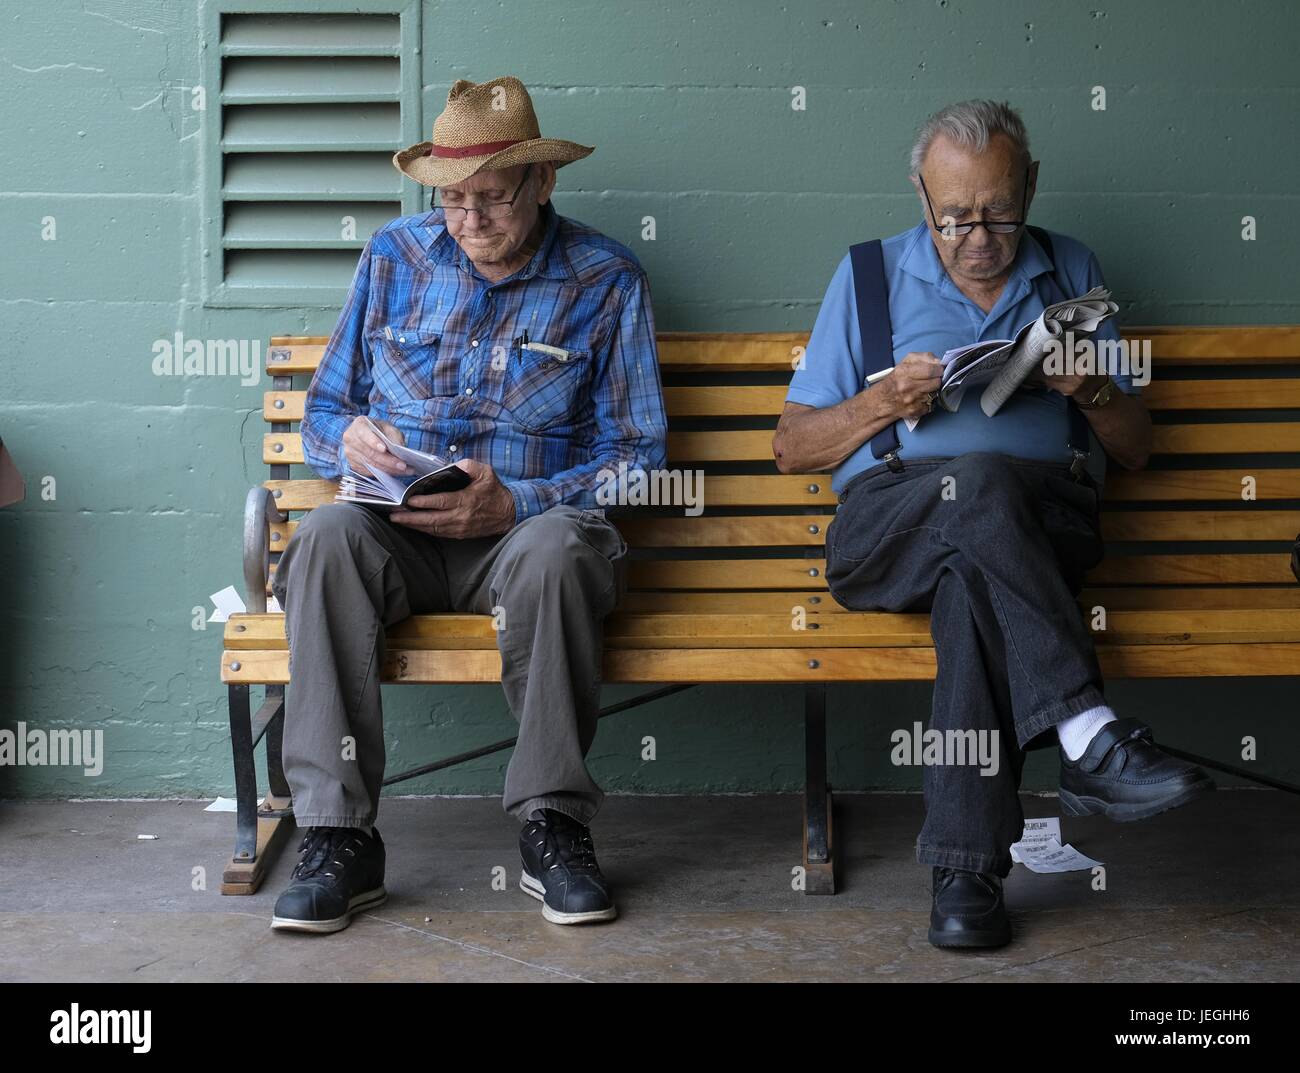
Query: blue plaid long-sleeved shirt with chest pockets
{"x":436,"y":349}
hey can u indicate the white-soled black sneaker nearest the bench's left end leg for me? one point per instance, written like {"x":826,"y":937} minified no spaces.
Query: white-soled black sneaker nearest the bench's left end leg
{"x":340,"y":875}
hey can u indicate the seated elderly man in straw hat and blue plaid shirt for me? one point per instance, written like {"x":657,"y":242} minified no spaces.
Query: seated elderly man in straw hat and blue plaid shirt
{"x":497,"y":334}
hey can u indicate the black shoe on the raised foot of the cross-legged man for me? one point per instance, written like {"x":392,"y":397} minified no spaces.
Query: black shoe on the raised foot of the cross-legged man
{"x":1123,"y":776}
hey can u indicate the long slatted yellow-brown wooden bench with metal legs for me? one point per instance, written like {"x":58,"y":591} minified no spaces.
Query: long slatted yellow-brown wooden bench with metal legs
{"x":713,"y":599}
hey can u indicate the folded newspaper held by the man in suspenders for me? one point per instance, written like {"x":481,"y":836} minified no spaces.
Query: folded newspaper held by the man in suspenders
{"x":1006,"y":365}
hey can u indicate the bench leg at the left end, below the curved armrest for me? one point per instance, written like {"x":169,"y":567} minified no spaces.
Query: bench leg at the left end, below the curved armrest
{"x":259,"y":832}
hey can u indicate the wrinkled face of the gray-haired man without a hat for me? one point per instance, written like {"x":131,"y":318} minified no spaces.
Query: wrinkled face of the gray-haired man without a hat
{"x":965,"y":185}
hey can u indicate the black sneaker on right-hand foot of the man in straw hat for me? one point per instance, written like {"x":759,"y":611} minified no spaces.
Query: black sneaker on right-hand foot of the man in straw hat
{"x":561,"y":869}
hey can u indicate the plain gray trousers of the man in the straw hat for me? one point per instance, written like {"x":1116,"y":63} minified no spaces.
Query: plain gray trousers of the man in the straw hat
{"x":349,"y":573}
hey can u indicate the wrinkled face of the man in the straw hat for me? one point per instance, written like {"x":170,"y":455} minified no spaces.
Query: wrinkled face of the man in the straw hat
{"x":499,"y":240}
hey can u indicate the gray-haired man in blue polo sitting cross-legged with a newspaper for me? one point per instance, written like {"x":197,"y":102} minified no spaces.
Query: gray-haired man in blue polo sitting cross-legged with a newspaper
{"x":990,"y":523}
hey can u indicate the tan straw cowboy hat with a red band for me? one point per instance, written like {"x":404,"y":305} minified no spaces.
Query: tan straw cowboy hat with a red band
{"x":484,"y":128}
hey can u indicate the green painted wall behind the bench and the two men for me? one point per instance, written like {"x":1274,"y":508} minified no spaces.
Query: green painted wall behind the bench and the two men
{"x":690,"y":106}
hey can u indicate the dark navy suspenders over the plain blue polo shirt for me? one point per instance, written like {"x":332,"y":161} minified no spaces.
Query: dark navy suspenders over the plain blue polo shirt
{"x":873,"y":301}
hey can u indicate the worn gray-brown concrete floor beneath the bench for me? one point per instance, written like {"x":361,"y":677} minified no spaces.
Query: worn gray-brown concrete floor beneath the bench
{"x":1207,"y":893}
